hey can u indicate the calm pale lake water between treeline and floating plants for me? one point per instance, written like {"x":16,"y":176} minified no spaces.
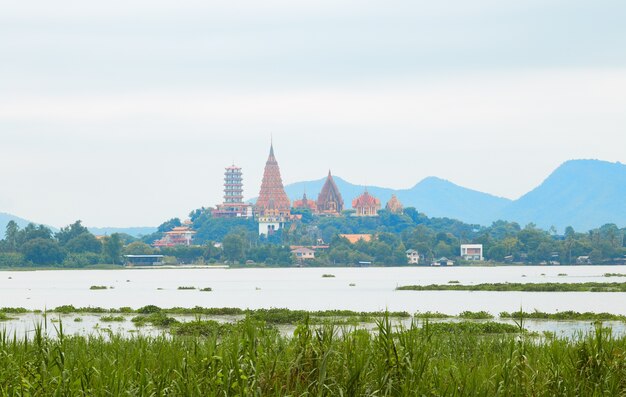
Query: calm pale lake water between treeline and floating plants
{"x":300,"y":288}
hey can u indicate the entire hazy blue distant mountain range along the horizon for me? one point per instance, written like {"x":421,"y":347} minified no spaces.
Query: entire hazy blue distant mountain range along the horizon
{"x":584,"y":194}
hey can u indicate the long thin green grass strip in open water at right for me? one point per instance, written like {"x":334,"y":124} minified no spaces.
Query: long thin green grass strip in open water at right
{"x":538,"y":287}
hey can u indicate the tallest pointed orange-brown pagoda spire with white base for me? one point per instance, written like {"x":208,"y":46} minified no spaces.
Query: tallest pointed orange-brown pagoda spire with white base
{"x":273,"y":208}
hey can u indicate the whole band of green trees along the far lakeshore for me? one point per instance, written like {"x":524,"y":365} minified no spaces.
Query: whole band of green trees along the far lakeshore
{"x":236,"y":241}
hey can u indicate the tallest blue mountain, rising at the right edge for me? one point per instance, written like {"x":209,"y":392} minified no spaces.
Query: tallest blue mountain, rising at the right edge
{"x":584,"y":194}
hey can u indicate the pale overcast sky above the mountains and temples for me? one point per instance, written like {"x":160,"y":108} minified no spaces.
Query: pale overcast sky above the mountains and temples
{"x":125,"y":113}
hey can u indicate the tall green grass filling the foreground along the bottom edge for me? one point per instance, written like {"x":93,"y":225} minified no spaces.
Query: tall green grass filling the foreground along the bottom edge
{"x":250,"y":358}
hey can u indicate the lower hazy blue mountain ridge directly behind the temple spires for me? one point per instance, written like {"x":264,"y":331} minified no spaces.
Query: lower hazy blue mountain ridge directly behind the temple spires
{"x":433,"y":196}
